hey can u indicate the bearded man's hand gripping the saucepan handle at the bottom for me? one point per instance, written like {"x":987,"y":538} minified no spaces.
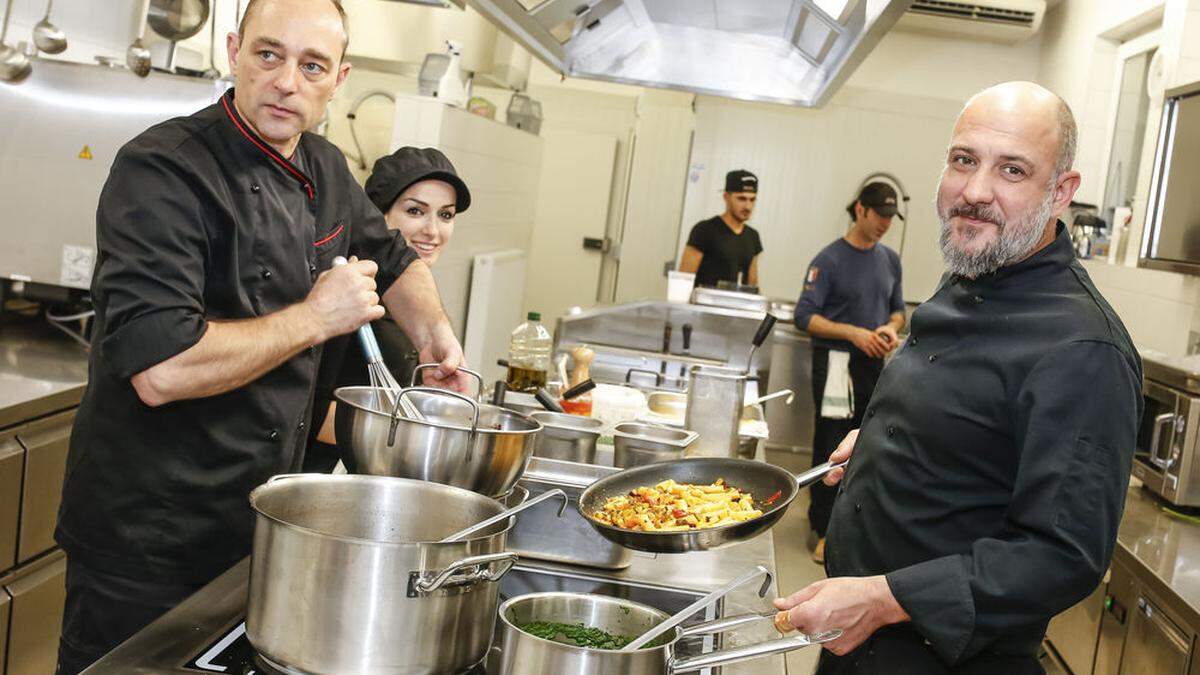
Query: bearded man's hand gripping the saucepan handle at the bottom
{"x":859,"y":606}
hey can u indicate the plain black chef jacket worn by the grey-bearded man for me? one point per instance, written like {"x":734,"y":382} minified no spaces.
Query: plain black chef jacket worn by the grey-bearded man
{"x":991,"y":471}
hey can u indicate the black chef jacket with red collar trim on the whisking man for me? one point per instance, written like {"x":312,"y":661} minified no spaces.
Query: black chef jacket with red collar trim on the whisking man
{"x":202,"y":220}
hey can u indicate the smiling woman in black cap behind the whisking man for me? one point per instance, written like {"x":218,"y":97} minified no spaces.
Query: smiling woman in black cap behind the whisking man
{"x":419,"y":194}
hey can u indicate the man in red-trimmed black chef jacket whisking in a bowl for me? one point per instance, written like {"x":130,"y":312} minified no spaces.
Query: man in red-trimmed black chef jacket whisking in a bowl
{"x":214,"y":292}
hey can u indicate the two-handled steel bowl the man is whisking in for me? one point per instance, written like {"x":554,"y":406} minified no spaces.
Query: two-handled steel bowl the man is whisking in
{"x":459,"y":443}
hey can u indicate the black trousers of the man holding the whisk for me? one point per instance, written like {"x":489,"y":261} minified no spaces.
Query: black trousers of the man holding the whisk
{"x":104,"y":611}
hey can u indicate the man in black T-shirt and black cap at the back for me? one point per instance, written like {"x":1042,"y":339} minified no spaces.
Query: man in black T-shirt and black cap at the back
{"x":724,"y":248}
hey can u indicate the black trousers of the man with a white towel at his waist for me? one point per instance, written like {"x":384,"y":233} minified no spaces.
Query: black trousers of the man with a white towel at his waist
{"x":865,"y":374}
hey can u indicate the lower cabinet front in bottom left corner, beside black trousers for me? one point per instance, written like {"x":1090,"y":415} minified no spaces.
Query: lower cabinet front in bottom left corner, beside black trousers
{"x":35,"y":618}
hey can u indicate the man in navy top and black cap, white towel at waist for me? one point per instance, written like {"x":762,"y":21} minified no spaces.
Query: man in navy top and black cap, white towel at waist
{"x":853,"y":307}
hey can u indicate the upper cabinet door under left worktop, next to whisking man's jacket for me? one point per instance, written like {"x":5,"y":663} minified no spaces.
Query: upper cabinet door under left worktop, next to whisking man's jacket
{"x":46,"y":443}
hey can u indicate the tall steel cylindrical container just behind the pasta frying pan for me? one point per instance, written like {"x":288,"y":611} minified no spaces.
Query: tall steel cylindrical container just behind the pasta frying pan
{"x":716,"y":397}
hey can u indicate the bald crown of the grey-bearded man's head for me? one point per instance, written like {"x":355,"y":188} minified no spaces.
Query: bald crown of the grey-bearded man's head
{"x":1041,"y":109}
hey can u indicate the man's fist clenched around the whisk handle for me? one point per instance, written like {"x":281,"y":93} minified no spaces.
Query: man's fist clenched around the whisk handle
{"x":344,"y":298}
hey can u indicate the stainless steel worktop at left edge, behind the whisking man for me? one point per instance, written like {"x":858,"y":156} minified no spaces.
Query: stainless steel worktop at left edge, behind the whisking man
{"x":41,"y":371}
